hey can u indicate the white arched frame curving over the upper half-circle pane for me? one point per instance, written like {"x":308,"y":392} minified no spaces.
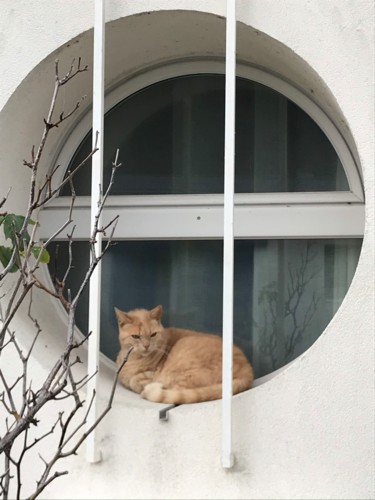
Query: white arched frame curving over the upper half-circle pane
{"x":136,"y":82}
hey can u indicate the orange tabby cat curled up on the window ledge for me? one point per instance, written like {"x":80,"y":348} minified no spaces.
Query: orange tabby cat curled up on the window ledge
{"x":174,"y":365}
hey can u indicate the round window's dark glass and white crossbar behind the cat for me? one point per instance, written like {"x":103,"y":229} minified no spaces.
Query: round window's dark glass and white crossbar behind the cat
{"x":290,"y":274}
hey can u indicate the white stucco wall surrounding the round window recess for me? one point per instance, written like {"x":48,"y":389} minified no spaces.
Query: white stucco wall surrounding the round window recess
{"x":309,"y":431}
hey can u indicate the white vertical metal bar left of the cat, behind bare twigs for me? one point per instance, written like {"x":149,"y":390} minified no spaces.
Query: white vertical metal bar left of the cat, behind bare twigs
{"x":92,"y":452}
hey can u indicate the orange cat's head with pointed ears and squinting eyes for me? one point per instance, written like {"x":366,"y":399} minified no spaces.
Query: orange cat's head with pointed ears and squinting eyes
{"x":140,"y":329}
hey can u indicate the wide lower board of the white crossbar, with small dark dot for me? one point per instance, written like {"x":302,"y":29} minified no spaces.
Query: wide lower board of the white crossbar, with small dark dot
{"x":206,"y":221}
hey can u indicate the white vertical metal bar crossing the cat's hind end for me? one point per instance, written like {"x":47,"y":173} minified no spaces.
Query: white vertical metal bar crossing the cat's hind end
{"x":228,"y":263}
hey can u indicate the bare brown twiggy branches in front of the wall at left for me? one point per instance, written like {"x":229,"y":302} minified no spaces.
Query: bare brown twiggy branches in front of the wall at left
{"x":21,"y":398}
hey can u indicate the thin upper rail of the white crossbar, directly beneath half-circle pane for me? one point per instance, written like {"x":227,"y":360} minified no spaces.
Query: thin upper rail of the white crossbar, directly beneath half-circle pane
{"x":330,"y":197}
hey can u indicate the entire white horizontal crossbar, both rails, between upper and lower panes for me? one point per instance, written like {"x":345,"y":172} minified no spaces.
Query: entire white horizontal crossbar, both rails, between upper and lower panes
{"x":301,"y":215}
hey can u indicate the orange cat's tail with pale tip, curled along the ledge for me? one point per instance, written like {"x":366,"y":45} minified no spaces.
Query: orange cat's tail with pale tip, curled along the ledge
{"x":158,"y":394}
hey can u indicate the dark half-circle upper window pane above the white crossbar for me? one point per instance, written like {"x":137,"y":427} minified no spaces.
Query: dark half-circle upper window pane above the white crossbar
{"x":171,"y":141}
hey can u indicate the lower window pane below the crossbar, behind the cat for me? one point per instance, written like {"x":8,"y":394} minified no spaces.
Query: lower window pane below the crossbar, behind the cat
{"x":286,"y":291}
